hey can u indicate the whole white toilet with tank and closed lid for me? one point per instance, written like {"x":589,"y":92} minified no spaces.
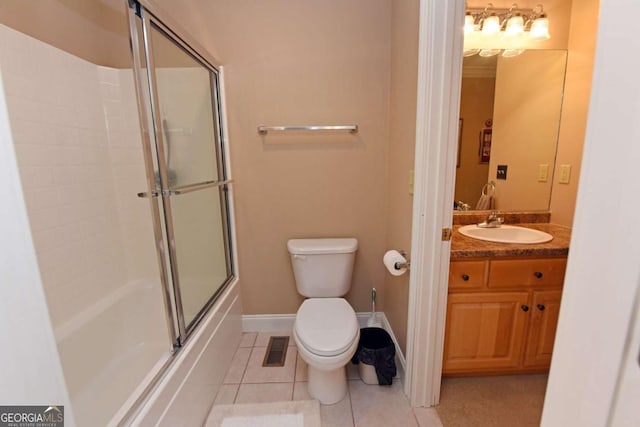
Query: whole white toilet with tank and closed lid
{"x":326,"y":330}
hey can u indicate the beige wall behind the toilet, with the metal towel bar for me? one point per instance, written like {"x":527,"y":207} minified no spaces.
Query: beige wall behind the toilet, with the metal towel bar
{"x":302,"y":62}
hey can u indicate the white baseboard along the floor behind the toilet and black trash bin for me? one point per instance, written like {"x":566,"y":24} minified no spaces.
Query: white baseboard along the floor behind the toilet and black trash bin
{"x":284,"y":322}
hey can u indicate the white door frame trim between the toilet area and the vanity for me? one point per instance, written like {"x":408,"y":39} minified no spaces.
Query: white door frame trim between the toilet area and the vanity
{"x":438,"y":106}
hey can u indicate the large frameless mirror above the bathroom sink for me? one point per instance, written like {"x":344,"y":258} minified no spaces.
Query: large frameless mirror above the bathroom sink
{"x":509,"y":122}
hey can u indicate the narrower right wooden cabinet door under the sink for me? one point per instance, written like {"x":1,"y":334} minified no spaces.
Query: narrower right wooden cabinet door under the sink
{"x":542,"y":329}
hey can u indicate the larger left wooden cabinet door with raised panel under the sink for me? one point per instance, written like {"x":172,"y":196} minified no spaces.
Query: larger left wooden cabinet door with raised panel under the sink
{"x":485,"y":331}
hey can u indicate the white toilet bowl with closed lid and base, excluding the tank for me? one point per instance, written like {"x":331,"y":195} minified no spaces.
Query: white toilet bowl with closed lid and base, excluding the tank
{"x":326,"y":333}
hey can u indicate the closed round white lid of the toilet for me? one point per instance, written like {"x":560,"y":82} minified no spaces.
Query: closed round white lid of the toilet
{"x":326,"y":326}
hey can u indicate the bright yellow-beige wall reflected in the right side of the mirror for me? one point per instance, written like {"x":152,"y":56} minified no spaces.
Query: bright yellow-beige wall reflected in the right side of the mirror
{"x":527,"y":106}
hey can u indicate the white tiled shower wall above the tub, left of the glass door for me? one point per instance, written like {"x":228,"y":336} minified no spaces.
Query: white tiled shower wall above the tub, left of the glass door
{"x":77,"y":138}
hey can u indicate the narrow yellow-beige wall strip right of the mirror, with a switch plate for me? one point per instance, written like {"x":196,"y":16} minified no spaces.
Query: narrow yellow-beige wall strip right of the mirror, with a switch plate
{"x":582,"y":41}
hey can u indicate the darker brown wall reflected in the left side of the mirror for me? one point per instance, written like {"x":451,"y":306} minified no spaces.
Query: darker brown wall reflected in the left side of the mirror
{"x":476,"y":106}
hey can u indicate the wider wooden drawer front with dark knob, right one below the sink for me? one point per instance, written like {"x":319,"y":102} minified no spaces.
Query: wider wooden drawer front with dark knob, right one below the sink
{"x":527,"y":273}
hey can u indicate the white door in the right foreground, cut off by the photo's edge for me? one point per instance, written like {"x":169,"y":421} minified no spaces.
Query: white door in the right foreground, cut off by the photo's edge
{"x":603,"y":269}
